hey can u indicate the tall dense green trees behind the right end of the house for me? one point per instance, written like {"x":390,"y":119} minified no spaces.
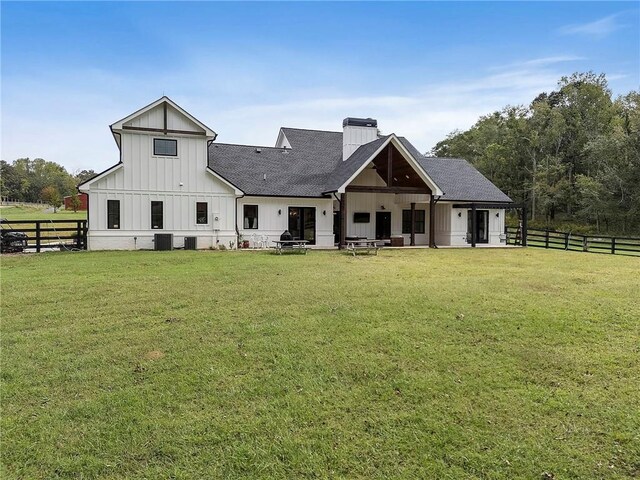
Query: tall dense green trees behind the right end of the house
{"x":571,"y":155}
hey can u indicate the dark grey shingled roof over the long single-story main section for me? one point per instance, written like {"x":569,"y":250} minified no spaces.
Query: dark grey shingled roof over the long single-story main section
{"x":313,"y":166}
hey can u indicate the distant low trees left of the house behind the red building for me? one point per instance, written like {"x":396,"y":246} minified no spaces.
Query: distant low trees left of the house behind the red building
{"x":37,"y":180}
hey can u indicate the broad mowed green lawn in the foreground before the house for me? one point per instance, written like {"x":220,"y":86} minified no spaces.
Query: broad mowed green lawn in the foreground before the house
{"x":485,"y":363}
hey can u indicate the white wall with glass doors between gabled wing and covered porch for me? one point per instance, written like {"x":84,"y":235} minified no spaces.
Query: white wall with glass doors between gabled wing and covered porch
{"x":273,"y":224}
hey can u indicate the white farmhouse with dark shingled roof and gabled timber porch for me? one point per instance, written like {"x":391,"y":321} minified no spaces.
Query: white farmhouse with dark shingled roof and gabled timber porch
{"x":173,"y":179}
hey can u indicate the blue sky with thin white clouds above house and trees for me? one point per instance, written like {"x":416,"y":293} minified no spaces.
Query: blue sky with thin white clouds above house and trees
{"x":422,"y":69}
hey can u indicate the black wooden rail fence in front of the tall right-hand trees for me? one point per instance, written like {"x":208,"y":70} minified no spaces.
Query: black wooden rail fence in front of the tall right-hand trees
{"x":573,"y":241}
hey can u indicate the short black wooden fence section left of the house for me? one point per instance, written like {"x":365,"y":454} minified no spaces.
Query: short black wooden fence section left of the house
{"x":48,"y":234}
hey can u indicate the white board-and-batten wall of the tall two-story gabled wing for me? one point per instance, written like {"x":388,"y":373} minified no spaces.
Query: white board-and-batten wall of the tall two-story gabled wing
{"x":179,"y":182}
